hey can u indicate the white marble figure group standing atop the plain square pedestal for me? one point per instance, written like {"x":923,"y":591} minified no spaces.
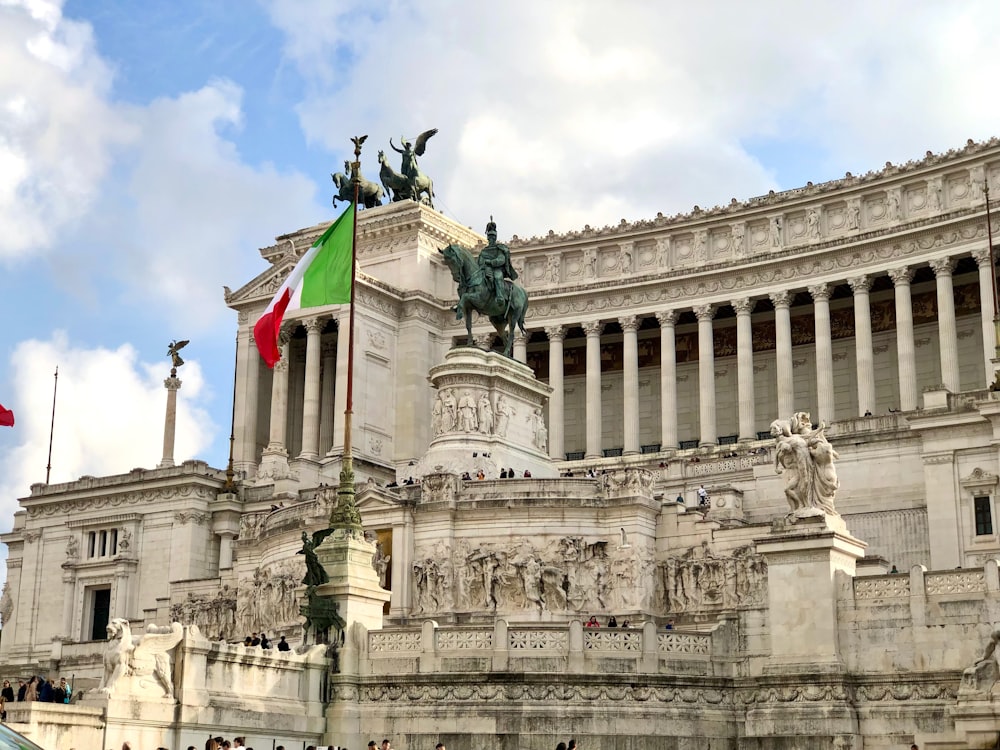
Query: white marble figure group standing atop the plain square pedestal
{"x":805,"y":458}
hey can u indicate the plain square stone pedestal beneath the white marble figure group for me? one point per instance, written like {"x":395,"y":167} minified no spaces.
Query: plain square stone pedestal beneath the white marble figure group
{"x":803,"y":562}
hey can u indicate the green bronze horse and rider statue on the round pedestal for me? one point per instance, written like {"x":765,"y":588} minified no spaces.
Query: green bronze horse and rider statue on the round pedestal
{"x":486,"y":285}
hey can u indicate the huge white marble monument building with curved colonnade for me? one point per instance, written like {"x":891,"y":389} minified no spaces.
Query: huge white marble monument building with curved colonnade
{"x":669,"y":345}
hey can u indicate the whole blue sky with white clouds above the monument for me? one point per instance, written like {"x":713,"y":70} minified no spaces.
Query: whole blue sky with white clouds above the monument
{"x":147,"y":150}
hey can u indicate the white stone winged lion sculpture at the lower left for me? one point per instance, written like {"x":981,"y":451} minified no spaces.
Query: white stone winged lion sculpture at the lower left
{"x":140,"y":657}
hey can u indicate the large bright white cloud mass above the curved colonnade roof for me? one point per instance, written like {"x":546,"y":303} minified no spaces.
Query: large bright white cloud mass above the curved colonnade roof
{"x":563,"y":113}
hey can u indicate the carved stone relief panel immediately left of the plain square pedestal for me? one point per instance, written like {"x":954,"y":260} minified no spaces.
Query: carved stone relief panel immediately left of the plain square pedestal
{"x":697,"y":581}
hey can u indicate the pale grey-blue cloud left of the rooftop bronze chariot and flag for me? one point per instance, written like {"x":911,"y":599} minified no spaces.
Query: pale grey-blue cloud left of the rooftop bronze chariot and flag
{"x":196,"y":210}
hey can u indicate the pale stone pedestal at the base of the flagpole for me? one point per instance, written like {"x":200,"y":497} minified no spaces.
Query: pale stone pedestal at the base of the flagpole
{"x":353,"y":583}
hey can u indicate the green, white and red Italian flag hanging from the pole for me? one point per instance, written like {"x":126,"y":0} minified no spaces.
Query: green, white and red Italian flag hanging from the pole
{"x":323,"y":276}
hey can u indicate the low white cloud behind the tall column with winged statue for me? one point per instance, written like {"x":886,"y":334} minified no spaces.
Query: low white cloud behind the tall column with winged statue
{"x":110,"y":410}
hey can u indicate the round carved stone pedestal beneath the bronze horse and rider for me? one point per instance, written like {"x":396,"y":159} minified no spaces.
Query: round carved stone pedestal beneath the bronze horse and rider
{"x":488,"y":415}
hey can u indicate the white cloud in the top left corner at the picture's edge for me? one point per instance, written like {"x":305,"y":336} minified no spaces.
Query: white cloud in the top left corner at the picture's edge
{"x":56,"y":126}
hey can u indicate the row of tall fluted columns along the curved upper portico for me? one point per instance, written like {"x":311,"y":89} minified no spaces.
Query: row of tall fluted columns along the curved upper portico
{"x":743,"y":306}
